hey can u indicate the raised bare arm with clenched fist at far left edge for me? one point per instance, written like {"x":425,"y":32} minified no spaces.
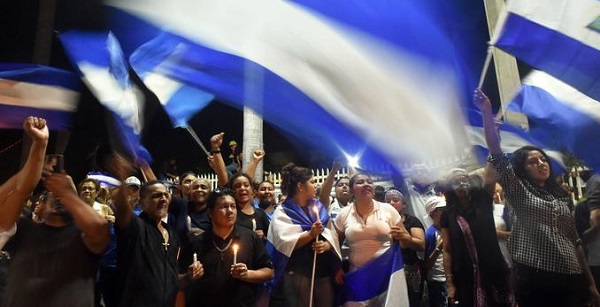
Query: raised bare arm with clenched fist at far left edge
{"x":14,"y":192}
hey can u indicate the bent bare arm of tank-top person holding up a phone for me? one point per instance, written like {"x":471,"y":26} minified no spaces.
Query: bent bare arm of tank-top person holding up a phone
{"x":93,"y":225}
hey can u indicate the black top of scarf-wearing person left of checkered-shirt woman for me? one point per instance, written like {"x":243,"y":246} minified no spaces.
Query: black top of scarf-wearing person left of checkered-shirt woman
{"x":480,"y":216}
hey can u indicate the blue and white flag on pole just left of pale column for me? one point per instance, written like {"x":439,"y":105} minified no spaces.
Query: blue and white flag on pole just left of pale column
{"x":180,"y":100}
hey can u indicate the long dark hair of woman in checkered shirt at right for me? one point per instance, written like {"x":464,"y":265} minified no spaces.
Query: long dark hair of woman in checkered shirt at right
{"x":518,"y":161}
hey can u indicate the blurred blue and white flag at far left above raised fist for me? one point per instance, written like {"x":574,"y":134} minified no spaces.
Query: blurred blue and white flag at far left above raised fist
{"x":35,"y":90}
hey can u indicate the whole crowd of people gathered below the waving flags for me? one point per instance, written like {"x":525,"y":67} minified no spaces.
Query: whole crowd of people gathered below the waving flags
{"x":507,"y":237}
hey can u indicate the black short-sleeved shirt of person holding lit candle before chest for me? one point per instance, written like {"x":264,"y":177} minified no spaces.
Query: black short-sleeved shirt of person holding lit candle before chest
{"x":217,"y":287}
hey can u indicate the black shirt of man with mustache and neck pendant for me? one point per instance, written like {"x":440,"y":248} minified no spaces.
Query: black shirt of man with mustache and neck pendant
{"x":147,"y":269}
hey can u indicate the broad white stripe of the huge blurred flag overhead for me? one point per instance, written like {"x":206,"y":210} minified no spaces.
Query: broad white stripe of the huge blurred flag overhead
{"x":360,"y":80}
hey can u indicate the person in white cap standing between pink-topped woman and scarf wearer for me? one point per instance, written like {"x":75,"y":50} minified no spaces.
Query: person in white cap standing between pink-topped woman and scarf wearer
{"x":434,"y":266}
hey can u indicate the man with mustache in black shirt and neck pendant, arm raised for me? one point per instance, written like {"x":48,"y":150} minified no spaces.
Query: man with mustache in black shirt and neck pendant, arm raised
{"x":148,"y":250}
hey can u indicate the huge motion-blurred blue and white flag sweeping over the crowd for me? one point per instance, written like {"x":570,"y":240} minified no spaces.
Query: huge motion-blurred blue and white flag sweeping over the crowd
{"x":376,"y":78}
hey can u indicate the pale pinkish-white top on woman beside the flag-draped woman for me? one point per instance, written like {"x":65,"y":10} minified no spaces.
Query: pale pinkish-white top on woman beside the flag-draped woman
{"x":370,"y":237}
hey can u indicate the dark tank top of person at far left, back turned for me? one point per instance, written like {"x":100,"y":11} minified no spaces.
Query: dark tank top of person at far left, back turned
{"x":51,"y":266}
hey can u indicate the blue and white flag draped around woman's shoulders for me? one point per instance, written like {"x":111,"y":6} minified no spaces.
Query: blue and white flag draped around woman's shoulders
{"x":288,"y":223}
